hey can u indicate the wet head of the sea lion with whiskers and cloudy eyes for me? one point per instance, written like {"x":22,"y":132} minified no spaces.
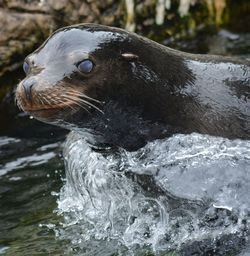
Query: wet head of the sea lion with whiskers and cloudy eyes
{"x":76,"y":70}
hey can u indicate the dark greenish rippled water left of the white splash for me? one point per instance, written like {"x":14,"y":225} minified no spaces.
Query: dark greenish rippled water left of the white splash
{"x":26,"y":179}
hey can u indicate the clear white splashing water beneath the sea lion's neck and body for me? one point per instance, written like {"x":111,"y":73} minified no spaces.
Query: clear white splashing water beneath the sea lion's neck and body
{"x":166,"y":196}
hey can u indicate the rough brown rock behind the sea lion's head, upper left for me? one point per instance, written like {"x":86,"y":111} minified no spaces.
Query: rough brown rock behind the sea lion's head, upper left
{"x":26,"y":24}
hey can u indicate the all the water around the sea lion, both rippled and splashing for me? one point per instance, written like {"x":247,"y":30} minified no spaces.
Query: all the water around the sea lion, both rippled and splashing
{"x":188,"y":194}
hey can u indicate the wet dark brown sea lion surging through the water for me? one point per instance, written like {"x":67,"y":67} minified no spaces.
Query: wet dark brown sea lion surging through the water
{"x":125,"y":89}
